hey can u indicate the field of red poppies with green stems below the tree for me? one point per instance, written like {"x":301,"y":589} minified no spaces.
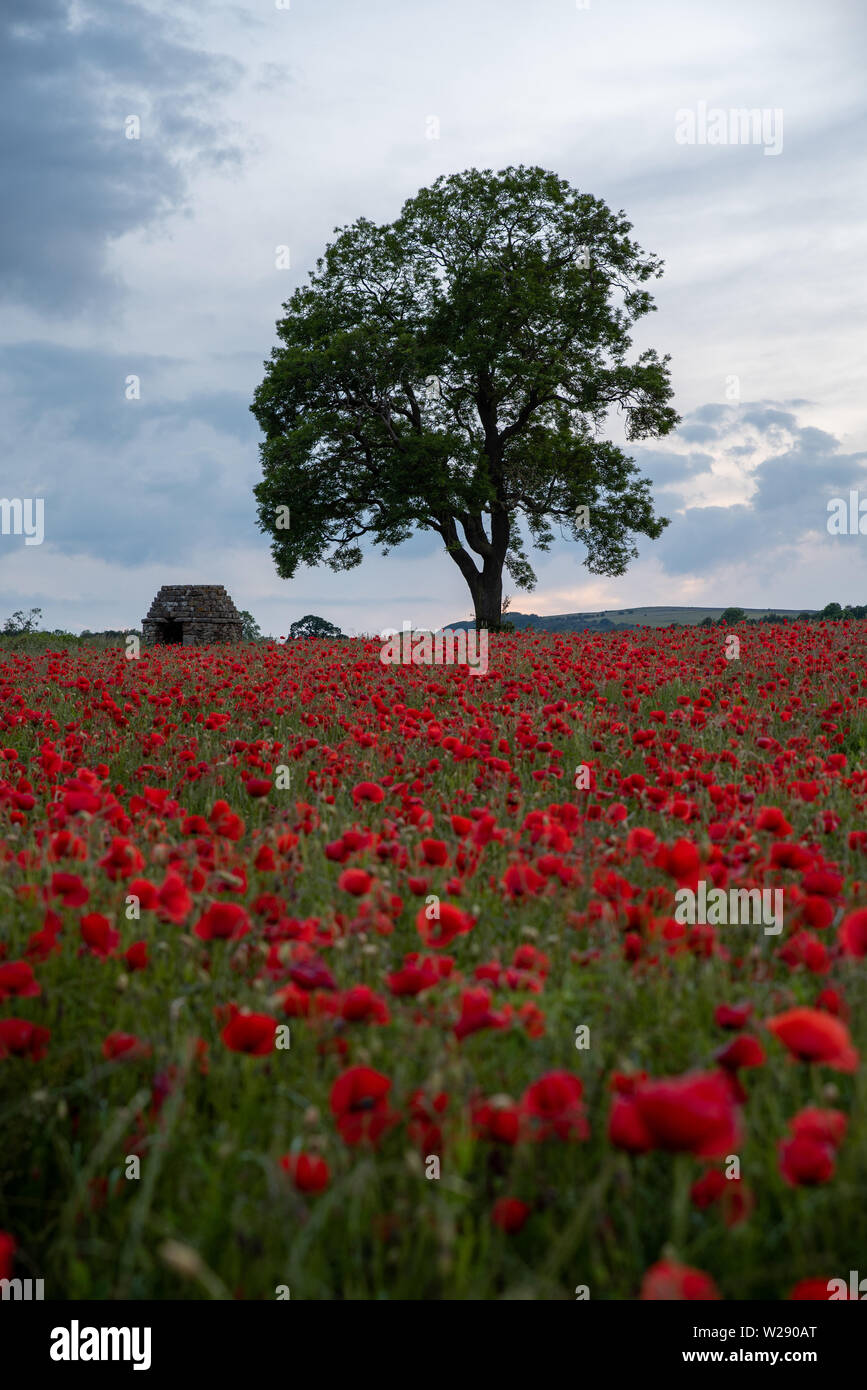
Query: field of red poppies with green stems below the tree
{"x":329,"y":979}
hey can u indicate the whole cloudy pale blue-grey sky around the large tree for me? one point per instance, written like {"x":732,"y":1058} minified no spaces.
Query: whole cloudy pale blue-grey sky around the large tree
{"x":156,"y":155}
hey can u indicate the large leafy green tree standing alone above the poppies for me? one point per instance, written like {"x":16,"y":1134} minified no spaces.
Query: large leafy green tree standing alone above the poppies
{"x":455,"y":372}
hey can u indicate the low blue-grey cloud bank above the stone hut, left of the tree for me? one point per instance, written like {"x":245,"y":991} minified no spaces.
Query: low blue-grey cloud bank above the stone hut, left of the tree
{"x":126,"y":482}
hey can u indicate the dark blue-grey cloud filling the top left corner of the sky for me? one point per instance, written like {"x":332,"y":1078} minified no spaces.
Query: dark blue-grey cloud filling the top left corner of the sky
{"x":70,"y":77}
